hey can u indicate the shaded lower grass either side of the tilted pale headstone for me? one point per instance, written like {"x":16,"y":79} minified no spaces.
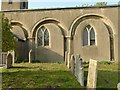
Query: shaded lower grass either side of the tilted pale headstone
{"x":105,"y":79}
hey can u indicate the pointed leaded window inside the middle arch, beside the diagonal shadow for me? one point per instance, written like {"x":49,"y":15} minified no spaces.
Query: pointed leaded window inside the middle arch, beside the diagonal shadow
{"x":43,"y":37}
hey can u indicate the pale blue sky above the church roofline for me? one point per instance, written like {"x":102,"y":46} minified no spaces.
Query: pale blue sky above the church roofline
{"x":34,"y":4}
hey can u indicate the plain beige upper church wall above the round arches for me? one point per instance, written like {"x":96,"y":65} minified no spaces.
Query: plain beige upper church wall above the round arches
{"x":66,"y":17}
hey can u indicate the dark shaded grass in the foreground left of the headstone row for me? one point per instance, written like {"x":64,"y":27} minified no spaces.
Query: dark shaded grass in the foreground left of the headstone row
{"x":39,"y":79}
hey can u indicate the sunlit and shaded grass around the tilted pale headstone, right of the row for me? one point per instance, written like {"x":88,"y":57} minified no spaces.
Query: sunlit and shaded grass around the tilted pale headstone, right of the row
{"x":107,"y":75}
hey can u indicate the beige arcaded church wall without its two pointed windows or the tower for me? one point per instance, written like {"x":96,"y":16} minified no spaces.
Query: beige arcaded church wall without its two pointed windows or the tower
{"x":69,"y":23}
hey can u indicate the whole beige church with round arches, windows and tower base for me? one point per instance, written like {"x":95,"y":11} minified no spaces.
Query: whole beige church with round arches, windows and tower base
{"x":54,"y":34}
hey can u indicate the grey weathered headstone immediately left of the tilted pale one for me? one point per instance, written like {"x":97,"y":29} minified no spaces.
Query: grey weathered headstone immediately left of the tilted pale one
{"x":80,"y":72}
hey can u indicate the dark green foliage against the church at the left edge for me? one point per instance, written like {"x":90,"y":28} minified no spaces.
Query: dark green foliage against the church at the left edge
{"x":8,"y":42}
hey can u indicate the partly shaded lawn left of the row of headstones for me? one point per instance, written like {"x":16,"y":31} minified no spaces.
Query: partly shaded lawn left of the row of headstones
{"x":39,"y":75}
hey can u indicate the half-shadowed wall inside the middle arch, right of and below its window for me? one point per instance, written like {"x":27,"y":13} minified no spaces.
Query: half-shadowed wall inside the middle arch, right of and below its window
{"x":55,"y":51}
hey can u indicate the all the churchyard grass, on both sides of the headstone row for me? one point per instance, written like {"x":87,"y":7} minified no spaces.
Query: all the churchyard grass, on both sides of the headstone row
{"x":55,"y":75}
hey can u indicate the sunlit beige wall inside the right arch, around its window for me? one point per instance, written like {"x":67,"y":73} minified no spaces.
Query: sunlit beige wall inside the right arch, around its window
{"x":101,"y":49}
